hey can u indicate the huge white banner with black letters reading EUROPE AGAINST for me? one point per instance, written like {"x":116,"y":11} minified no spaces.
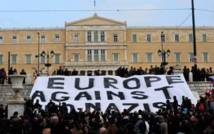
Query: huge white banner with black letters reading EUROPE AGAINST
{"x":145,"y":92}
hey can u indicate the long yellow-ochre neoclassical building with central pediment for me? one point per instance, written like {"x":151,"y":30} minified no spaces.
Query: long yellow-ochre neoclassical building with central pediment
{"x":100,"y":43}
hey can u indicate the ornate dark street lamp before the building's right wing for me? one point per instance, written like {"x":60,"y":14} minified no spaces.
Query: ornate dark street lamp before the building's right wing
{"x":163,"y":53}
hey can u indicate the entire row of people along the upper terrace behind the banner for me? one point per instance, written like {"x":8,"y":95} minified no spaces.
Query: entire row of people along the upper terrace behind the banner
{"x":193,"y":74}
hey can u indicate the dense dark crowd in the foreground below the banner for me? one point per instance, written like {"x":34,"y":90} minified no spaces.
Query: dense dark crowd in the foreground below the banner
{"x":172,"y":118}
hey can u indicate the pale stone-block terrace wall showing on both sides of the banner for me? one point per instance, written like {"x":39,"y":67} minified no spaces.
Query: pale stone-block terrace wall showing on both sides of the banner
{"x":6,"y":91}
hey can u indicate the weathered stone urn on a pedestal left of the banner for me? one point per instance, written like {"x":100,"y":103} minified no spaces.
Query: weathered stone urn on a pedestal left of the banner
{"x":16,"y":102}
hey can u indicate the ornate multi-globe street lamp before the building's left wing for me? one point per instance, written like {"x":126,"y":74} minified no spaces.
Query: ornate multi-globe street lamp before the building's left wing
{"x":48,"y":56}
